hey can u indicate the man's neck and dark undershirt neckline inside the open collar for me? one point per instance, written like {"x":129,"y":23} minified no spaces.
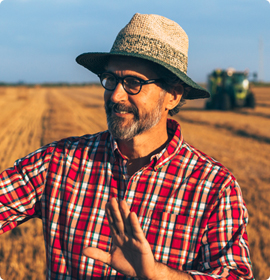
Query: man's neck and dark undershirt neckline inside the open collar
{"x":142,"y":147}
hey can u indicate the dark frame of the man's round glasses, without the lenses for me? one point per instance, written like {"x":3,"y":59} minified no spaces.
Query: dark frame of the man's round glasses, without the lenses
{"x":122,"y":79}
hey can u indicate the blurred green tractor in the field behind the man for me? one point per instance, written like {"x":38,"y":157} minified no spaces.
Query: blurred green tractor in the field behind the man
{"x":229,"y":89}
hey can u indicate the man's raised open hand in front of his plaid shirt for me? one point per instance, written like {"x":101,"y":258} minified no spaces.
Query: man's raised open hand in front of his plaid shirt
{"x":131,"y":253}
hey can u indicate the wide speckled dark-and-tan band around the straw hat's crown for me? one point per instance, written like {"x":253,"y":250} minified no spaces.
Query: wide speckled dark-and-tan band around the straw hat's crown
{"x":152,"y":48}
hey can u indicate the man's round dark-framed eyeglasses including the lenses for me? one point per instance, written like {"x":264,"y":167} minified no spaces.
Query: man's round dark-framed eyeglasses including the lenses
{"x":132,"y":85}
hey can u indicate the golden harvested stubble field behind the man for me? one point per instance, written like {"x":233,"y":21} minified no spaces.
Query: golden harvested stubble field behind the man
{"x":31,"y":117}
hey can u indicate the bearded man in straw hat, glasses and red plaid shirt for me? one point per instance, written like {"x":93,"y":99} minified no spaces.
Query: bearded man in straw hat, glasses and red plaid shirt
{"x":136,"y":200}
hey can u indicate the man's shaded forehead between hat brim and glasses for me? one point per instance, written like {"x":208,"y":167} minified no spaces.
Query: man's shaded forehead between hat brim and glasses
{"x":131,"y":64}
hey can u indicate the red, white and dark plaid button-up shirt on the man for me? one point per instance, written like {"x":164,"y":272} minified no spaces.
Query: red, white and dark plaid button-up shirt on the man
{"x":190,"y":207}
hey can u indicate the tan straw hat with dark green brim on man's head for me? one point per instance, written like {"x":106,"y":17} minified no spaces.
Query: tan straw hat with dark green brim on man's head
{"x":154,"y":38}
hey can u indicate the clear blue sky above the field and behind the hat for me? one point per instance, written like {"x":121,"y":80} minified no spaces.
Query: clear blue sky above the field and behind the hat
{"x":40,"y":39}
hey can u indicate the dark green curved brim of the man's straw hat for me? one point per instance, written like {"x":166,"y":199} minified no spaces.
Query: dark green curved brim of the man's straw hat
{"x":97,"y":61}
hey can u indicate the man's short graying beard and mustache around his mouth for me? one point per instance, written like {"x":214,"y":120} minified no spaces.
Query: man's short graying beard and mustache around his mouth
{"x":135,"y":126}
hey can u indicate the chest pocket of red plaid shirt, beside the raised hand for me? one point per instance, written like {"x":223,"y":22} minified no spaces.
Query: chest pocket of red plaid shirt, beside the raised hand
{"x":172,"y":237}
